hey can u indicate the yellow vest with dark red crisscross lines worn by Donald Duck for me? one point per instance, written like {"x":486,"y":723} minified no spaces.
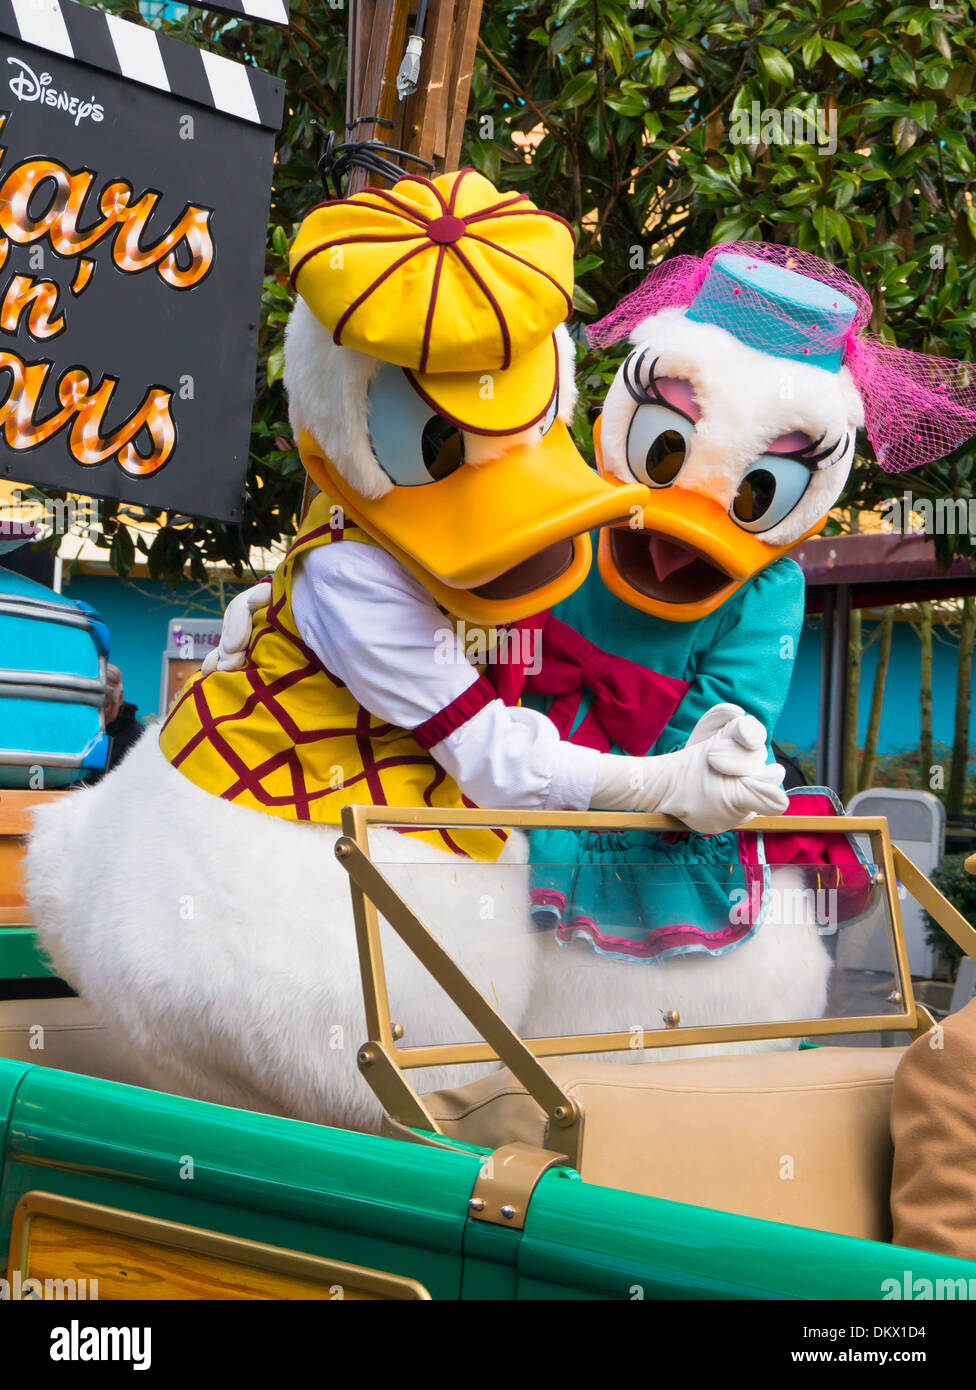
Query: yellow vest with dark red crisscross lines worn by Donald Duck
{"x":287,"y":737}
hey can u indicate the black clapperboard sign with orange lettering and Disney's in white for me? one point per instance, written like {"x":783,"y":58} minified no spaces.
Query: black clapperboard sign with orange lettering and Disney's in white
{"x":136,"y":179}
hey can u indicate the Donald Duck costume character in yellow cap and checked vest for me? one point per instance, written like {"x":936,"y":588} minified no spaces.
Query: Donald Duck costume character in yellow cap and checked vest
{"x":430,"y":383}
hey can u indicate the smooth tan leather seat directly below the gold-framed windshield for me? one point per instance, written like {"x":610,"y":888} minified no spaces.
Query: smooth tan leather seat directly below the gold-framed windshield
{"x":797,"y":1138}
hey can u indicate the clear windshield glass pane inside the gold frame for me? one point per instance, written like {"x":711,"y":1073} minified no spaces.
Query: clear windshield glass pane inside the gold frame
{"x":646,"y":933}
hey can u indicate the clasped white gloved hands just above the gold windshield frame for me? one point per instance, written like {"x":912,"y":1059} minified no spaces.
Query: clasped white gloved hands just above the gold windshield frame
{"x":718,"y":780}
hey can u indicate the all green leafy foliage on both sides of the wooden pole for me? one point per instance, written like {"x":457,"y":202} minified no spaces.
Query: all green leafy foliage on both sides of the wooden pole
{"x":619,"y":116}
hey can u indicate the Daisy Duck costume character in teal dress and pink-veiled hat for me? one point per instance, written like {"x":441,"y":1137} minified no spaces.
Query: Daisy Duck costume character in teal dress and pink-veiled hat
{"x":739,"y":407}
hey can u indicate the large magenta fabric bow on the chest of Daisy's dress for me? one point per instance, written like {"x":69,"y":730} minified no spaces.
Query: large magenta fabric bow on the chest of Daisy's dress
{"x":631,"y":704}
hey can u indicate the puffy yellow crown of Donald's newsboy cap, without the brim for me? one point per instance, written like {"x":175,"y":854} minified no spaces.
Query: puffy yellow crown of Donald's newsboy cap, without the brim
{"x":437,"y":276}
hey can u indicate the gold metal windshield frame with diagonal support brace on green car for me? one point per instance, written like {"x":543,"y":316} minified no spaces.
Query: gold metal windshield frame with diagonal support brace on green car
{"x":383,"y":1060}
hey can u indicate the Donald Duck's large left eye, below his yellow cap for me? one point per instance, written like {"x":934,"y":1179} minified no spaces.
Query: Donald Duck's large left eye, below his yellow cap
{"x":414,"y":444}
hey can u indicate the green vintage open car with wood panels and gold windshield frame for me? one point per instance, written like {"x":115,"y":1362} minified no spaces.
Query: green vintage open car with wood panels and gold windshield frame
{"x":756,"y":1175}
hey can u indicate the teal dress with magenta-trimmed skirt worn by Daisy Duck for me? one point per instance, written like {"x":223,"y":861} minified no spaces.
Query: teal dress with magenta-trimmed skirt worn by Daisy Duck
{"x":651,"y":896}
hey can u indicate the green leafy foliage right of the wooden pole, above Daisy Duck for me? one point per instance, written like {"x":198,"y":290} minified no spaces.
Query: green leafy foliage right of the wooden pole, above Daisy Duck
{"x":642,"y":158}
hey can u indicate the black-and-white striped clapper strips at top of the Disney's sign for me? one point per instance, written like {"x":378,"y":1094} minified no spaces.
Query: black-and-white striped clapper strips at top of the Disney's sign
{"x":151,"y":59}
